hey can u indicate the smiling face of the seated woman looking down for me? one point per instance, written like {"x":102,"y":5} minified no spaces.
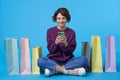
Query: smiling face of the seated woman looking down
{"x":61,"y":20}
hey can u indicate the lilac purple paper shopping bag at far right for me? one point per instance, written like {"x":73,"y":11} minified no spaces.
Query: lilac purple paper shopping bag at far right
{"x":110,"y":61}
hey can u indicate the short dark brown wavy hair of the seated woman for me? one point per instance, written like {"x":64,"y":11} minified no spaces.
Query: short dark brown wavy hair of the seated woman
{"x":64,"y":12}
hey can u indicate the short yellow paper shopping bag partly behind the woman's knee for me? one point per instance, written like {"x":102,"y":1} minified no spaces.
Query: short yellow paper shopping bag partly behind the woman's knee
{"x":36,"y":53}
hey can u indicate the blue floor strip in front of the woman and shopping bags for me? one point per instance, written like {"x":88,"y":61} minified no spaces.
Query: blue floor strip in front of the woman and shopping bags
{"x":88,"y":76}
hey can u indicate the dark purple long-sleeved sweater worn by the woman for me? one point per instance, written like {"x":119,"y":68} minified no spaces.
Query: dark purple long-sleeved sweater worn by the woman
{"x":59,"y":52}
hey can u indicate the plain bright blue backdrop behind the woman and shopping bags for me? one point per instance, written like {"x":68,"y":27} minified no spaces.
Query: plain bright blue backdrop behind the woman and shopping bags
{"x":32,"y":18}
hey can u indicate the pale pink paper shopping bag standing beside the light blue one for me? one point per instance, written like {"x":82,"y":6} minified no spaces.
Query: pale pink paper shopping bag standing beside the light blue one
{"x":25,"y":66}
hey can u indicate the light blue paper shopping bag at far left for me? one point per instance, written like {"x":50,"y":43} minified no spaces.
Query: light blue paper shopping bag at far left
{"x":11,"y":48}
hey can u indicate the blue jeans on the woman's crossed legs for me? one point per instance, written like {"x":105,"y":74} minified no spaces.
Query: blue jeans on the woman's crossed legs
{"x":70,"y":64}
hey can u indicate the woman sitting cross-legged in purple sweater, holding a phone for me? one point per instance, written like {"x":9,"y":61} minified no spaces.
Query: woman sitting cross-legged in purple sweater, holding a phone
{"x":61,"y":42}
